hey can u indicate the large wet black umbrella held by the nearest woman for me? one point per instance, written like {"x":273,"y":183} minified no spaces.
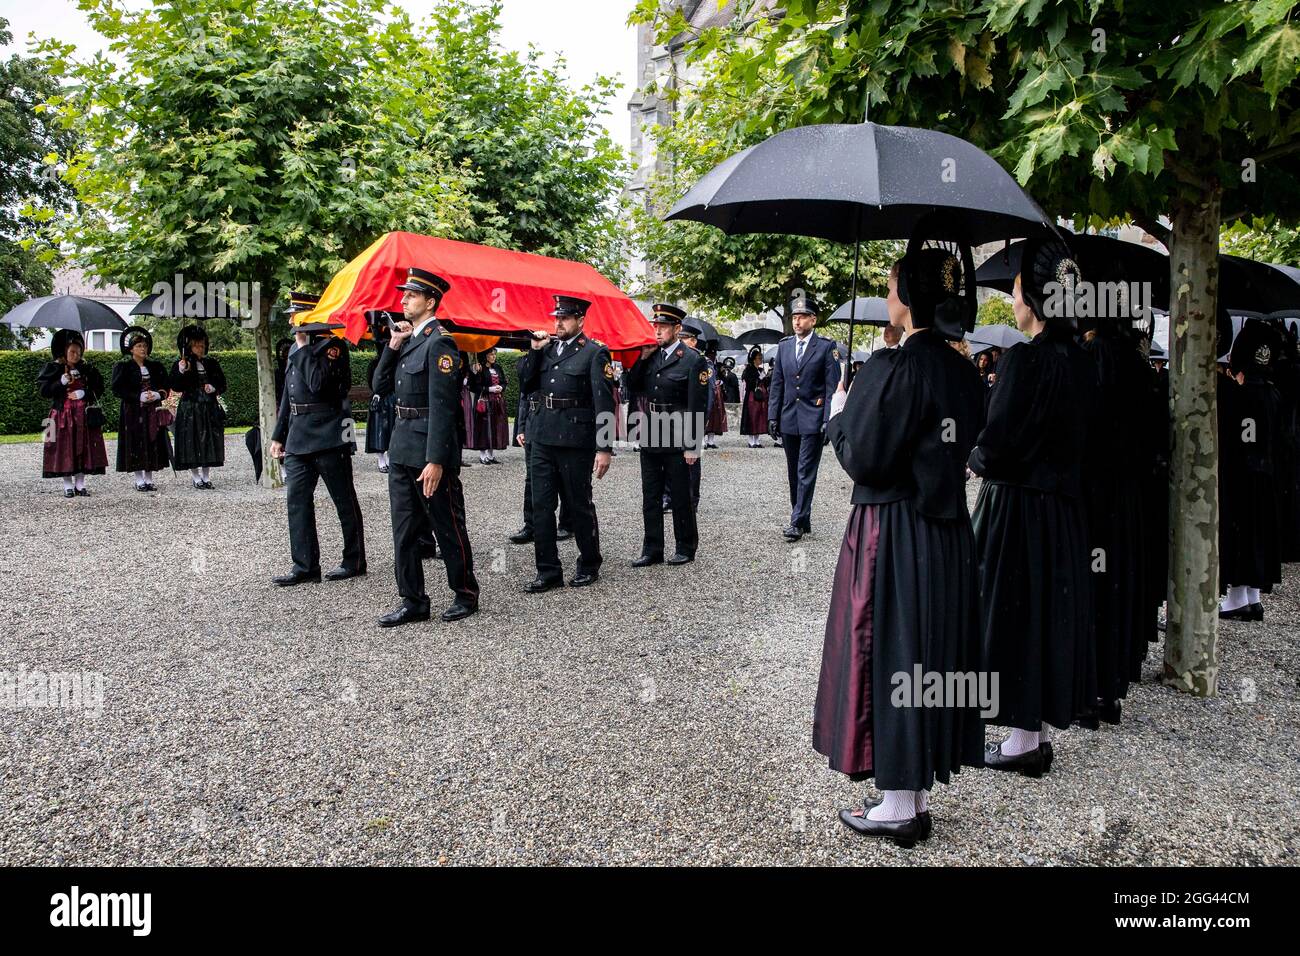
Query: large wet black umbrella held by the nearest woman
{"x":863,"y":181}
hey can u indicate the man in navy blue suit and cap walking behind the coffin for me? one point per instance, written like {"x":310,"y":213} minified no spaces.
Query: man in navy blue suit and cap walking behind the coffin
{"x":799,"y":406}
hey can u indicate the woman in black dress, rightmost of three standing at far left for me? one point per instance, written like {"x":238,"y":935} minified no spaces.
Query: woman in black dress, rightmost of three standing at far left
{"x":201,"y":422}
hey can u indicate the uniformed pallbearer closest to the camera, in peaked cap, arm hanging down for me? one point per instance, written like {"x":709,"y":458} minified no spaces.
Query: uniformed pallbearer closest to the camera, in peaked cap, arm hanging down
{"x":422,"y":367}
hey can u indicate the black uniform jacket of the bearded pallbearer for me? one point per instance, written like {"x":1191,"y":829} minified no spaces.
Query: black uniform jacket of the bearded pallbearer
{"x":584,"y":374}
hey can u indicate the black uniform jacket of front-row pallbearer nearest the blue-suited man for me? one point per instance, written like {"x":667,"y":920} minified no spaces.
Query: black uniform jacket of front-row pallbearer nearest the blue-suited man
{"x":677,"y":383}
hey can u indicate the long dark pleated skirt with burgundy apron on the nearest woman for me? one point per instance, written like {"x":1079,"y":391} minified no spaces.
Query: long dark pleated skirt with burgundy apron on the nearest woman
{"x":903,"y":607}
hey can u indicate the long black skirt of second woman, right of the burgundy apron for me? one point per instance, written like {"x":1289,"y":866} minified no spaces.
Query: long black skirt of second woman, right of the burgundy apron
{"x":1037,"y":605}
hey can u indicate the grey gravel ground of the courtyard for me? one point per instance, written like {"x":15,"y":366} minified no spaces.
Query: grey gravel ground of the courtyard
{"x":662,"y":717}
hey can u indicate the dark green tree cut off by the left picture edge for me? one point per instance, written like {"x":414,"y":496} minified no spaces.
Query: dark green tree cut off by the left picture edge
{"x":28,"y":142}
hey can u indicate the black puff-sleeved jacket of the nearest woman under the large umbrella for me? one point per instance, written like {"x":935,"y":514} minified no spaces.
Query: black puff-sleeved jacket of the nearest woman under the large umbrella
{"x":911,"y":421}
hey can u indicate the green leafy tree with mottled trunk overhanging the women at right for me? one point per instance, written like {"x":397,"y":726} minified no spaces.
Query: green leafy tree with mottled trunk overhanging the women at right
{"x":1106,"y":113}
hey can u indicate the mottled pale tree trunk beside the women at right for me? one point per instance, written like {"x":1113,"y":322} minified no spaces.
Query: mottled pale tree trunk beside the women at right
{"x":1191,"y":641}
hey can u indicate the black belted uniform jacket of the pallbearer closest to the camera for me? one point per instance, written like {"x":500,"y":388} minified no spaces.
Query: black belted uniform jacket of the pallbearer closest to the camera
{"x":424,"y":374}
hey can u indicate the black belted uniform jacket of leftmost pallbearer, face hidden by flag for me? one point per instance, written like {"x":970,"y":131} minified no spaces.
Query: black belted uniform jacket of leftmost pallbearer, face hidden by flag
{"x":314,"y":378}
